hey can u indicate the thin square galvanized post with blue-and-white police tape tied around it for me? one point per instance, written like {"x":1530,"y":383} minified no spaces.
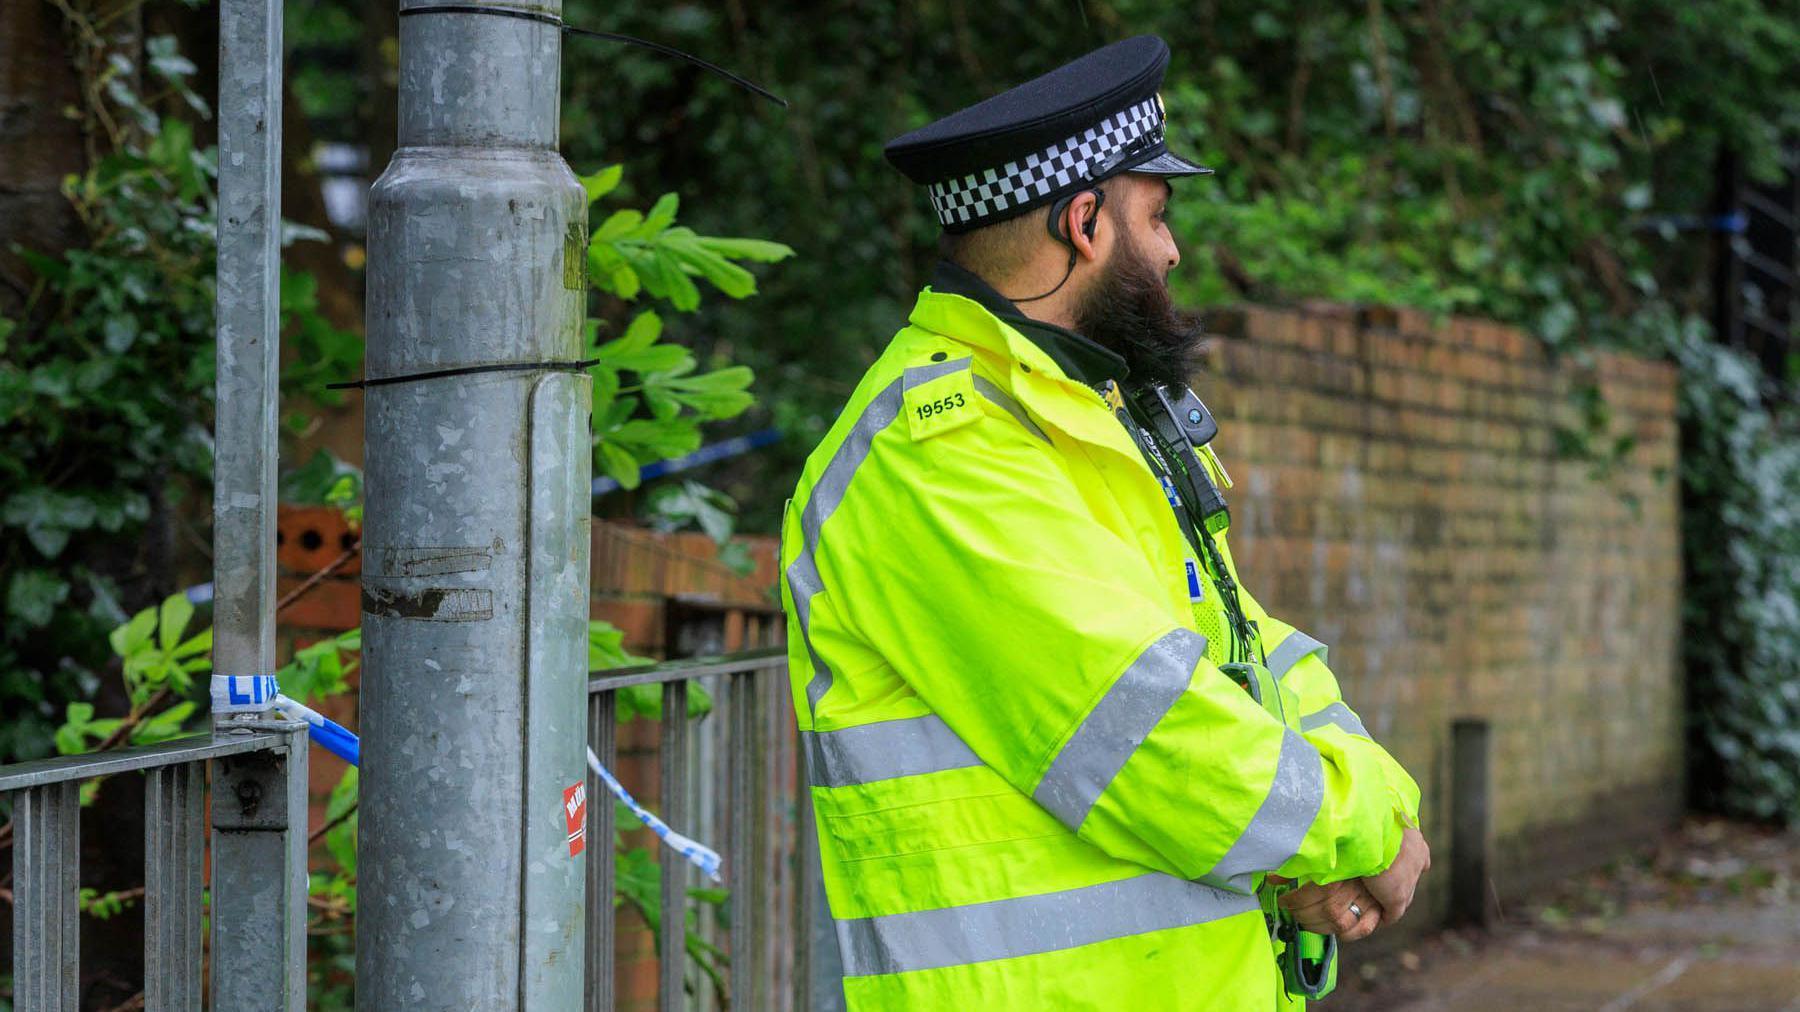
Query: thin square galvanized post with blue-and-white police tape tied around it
{"x":258,"y":802}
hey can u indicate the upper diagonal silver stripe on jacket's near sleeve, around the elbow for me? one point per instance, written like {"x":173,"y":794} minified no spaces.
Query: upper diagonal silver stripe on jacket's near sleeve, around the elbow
{"x":1119,"y":725}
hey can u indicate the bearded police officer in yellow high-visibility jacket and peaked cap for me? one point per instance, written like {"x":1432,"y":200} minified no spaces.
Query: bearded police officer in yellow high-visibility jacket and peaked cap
{"x":1059,"y":757}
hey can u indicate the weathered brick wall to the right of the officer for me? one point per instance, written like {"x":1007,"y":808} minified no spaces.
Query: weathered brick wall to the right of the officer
{"x":1399,"y":496}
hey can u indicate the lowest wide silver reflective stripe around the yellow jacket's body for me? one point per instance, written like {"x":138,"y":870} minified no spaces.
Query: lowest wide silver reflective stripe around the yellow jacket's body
{"x":1023,"y":926}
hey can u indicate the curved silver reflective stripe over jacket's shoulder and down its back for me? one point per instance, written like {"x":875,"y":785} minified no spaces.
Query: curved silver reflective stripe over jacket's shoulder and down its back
{"x":829,"y":492}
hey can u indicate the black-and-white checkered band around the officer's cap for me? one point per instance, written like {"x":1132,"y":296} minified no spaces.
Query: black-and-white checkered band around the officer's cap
{"x":984,"y":195}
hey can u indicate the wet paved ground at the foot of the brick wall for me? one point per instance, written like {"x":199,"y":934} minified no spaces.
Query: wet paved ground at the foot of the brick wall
{"x":1709,"y":921}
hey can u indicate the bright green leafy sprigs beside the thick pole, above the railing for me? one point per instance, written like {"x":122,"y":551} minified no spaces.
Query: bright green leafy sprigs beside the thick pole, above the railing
{"x":651,"y":395}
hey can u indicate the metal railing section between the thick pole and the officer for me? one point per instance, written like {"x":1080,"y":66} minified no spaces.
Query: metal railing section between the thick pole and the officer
{"x":762,"y":817}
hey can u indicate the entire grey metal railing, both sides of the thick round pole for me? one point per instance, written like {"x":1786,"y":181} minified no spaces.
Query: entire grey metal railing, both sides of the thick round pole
{"x":735,"y":779}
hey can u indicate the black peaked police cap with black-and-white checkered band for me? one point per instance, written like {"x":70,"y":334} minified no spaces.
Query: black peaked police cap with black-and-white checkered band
{"x":1054,"y":136}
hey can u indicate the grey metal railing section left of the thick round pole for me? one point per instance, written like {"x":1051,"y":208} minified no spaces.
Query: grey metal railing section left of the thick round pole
{"x":258,"y":811}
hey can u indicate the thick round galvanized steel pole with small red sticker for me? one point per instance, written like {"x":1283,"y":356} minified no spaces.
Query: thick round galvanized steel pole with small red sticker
{"x":476,"y":530}
